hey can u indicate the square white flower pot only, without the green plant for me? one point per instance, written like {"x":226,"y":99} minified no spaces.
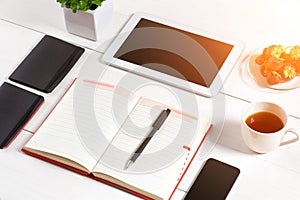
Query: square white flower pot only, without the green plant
{"x":90,"y":24}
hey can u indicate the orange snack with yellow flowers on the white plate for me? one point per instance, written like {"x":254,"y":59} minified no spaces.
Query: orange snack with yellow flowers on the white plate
{"x":279,"y":64}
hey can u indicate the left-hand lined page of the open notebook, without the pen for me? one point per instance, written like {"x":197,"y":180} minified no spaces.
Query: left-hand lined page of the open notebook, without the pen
{"x":83,"y":123}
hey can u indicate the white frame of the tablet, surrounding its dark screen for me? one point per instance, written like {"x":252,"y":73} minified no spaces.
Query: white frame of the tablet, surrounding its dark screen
{"x":218,"y":81}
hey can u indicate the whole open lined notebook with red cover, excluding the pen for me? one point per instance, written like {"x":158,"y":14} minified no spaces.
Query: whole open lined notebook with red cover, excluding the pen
{"x":96,"y":127}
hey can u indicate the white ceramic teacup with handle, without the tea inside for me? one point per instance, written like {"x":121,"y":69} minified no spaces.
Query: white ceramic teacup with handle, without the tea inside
{"x":262,"y":142}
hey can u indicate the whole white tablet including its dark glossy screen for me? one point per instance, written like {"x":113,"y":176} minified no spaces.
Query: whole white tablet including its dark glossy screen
{"x":181,"y":56}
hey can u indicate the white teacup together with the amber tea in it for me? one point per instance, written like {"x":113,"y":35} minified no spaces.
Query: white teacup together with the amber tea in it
{"x":264,"y":127}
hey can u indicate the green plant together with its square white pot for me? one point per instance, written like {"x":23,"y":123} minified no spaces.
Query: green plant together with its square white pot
{"x":87,"y":18}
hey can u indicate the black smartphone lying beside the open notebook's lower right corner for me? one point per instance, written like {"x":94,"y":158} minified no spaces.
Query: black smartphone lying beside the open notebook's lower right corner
{"x":214,"y":181}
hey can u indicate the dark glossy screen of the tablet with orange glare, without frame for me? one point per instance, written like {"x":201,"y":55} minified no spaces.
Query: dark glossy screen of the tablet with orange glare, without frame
{"x":175,"y":52}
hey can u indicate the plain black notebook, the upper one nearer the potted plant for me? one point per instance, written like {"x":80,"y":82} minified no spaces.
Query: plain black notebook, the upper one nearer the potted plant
{"x":47,"y":64}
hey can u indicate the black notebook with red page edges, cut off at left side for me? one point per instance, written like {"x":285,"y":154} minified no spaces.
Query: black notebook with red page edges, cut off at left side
{"x":16,"y":108}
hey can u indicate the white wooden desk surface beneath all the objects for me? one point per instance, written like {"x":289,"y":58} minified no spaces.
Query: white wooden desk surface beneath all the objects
{"x":275,"y":175}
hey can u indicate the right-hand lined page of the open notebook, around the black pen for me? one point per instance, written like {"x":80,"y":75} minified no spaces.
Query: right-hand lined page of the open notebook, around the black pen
{"x":159,"y":167}
